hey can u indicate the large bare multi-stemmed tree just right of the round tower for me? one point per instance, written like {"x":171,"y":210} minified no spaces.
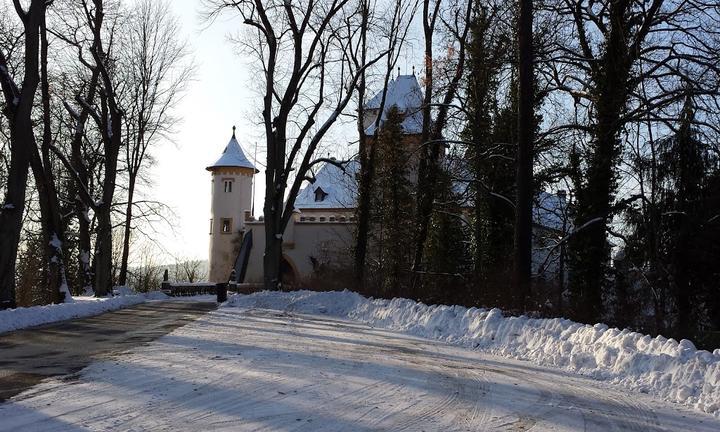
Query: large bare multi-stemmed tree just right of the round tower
{"x":317,"y":38}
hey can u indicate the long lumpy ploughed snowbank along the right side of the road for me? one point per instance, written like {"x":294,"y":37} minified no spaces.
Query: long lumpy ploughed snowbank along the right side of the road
{"x":662,"y":367}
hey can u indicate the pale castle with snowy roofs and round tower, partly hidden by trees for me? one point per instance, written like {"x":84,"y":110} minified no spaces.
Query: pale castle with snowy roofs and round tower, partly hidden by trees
{"x":321,"y":229}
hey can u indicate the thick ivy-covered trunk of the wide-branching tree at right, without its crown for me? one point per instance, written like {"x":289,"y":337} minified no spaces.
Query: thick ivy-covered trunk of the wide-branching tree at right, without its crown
{"x":589,"y":251}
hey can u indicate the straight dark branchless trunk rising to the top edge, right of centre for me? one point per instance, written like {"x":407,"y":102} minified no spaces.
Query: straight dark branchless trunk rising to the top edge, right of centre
{"x":524,"y":198}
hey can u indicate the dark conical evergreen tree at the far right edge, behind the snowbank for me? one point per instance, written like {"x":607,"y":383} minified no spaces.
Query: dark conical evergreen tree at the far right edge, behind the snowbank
{"x":675,"y":236}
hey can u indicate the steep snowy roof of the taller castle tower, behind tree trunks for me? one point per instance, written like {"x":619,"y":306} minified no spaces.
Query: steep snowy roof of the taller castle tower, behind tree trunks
{"x":405,"y":93}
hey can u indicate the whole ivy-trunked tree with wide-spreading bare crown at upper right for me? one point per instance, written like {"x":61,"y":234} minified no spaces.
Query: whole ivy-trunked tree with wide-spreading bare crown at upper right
{"x":622,"y":62}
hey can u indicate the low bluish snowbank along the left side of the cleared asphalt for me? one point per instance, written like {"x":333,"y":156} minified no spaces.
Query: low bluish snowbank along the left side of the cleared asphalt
{"x":82,"y":306}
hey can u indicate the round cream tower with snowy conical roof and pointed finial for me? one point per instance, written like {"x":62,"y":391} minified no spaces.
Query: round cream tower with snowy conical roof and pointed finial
{"x":232,"y":177}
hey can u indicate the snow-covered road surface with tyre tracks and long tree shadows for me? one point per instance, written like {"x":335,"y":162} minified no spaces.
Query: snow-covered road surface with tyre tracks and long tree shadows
{"x":258,"y":369}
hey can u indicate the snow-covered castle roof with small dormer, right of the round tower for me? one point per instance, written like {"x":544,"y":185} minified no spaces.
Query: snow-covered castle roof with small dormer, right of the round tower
{"x":340,"y":187}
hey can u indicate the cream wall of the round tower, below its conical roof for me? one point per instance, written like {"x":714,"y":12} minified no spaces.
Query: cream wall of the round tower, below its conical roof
{"x":227,"y":206}
